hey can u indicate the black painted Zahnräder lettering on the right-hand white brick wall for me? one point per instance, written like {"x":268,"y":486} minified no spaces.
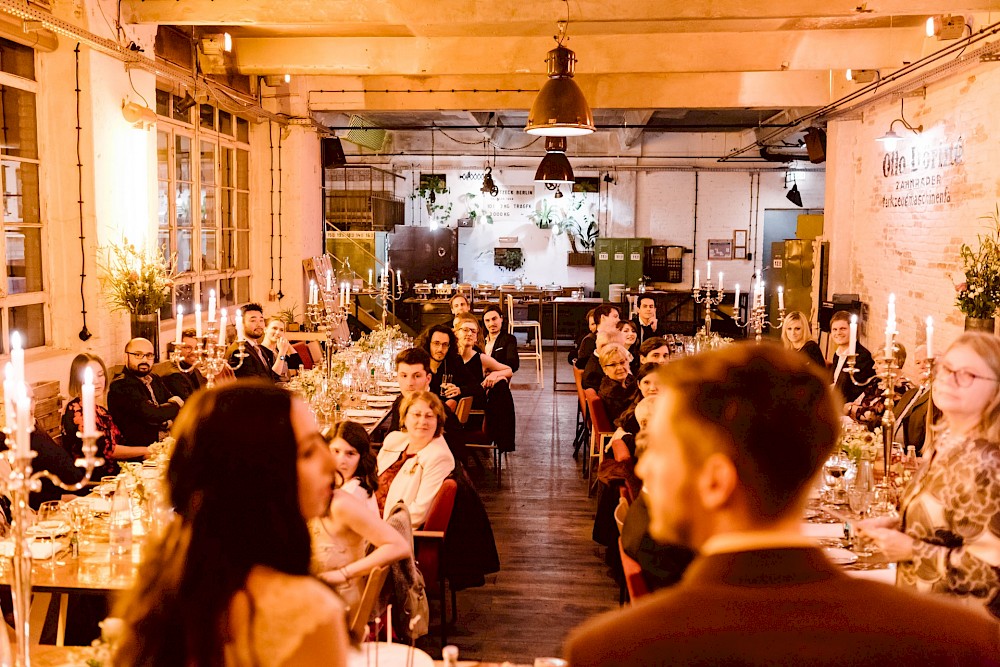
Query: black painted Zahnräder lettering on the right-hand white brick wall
{"x":918,"y":175}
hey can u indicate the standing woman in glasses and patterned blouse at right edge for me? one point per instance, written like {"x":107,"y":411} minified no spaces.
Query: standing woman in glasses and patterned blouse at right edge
{"x":947,"y":539}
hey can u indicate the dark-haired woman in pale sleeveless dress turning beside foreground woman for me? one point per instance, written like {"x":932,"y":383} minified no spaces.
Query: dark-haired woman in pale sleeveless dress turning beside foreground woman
{"x":341,"y":537}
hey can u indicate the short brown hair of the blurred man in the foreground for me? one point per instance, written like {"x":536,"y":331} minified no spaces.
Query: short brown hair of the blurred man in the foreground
{"x":768,"y":409}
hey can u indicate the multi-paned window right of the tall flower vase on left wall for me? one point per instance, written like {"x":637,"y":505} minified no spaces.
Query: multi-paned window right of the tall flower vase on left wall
{"x":203,"y":174}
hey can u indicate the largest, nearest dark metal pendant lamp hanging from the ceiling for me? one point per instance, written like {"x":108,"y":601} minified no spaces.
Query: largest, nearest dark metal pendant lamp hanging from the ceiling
{"x":560,"y":109}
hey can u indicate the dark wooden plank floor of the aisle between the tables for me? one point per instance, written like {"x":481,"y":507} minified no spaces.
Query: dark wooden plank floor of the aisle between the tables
{"x":552,"y":574}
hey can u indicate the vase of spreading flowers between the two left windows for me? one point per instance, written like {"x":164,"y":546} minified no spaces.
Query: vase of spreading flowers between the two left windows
{"x":138,"y":281}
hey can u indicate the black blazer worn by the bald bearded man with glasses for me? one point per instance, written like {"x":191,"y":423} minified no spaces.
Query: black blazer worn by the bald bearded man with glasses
{"x":134,"y":411}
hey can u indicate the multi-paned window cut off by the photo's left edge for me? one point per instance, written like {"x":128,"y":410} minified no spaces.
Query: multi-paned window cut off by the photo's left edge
{"x":22,"y":297}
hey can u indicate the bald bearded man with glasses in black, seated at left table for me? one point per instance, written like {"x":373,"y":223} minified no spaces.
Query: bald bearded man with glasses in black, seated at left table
{"x":140,"y":404}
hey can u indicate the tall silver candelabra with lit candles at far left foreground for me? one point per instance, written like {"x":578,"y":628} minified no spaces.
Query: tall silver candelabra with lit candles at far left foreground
{"x":22,"y":480}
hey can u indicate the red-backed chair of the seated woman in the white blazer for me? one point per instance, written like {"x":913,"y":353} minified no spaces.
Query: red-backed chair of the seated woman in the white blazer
{"x":428,"y":549}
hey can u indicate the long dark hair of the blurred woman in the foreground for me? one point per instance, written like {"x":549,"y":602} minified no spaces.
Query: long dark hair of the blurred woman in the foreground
{"x":233,"y":481}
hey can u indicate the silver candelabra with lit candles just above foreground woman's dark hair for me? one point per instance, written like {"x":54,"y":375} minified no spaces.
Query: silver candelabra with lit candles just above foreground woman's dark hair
{"x":210,"y":349}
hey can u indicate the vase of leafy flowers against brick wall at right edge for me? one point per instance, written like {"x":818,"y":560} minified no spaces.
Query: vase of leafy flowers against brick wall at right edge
{"x":978,"y":295}
